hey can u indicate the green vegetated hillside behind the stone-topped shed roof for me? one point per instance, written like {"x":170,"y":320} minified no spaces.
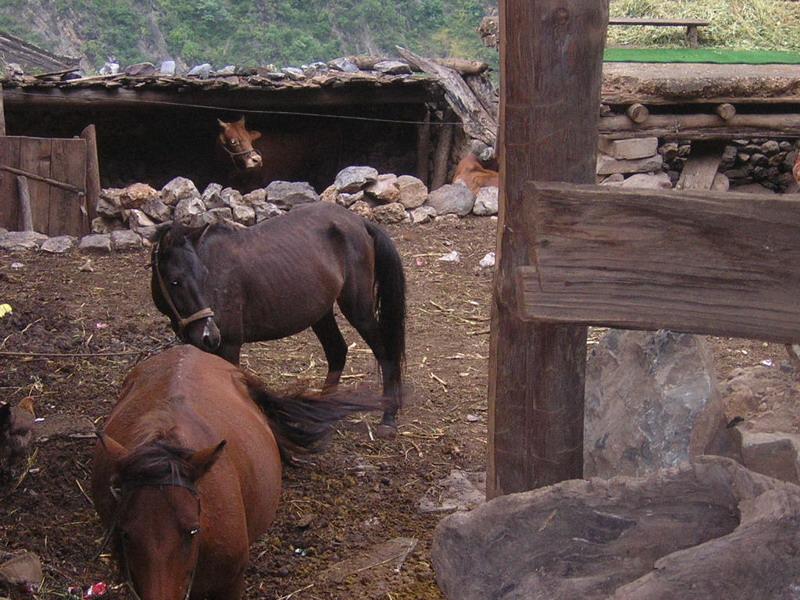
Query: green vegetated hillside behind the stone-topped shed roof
{"x":257,"y":32}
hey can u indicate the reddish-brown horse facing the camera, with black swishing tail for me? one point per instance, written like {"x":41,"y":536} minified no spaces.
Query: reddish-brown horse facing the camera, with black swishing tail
{"x":187,"y":472}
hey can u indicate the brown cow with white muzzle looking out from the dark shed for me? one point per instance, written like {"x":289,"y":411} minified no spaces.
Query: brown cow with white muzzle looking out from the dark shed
{"x":252,"y":160}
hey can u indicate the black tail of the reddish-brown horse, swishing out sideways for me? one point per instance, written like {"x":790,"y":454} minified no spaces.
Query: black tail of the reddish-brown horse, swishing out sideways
{"x":303,"y":424}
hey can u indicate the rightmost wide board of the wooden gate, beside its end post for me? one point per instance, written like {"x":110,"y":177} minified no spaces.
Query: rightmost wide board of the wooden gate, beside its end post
{"x":68,"y":164}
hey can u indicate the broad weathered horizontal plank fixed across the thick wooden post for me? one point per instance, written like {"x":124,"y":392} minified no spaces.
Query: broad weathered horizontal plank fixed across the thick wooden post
{"x":717,"y":263}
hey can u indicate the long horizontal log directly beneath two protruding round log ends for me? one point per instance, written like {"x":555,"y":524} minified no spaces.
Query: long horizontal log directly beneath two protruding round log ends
{"x":704,"y":126}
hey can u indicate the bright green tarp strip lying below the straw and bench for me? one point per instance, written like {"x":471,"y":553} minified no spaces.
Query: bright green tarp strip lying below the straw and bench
{"x":704,"y":55}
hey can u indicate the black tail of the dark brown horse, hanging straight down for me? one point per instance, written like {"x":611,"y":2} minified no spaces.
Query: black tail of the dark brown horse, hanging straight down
{"x":390,"y":294}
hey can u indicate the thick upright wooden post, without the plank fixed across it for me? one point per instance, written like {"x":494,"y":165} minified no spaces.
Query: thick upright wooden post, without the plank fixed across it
{"x":551,"y":57}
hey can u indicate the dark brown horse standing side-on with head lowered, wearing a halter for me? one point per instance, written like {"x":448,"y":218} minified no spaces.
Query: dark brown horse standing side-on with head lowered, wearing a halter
{"x":223,"y":287}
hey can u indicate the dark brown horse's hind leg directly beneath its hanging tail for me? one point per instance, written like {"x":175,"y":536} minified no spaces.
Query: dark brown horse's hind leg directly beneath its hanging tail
{"x":359,"y":310}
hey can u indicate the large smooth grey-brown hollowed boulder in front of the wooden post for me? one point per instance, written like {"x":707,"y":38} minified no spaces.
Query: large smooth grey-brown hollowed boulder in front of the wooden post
{"x":709,"y":529}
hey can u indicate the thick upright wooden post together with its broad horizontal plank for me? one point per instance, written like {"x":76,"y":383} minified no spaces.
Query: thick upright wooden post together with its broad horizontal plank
{"x":576,"y":255}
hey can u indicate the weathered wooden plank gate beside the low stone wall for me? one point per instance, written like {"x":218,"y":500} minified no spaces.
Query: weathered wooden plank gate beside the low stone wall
{"x":63,"y":182}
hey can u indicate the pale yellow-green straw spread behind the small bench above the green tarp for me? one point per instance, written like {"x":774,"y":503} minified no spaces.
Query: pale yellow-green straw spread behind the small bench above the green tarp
{"x":741,"y":24}
